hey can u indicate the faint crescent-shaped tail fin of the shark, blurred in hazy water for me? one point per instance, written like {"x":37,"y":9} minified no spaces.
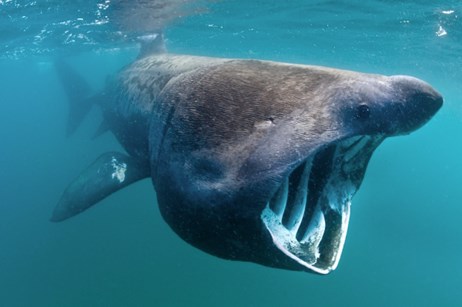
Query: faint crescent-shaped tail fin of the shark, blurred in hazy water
{"x":78,"y":92}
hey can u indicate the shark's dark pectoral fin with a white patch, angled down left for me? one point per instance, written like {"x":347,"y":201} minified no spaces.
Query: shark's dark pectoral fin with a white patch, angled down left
{"x":109,"y":173}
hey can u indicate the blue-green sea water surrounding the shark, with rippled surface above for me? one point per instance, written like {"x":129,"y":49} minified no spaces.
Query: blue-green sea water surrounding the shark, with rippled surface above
{"x":403,"y":246}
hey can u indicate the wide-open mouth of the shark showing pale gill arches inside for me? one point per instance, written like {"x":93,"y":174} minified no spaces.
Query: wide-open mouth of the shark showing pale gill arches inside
{"x":308,"y":216}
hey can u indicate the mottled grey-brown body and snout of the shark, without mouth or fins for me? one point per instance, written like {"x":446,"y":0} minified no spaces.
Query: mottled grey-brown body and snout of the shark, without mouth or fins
{"x":221,"y":134}
